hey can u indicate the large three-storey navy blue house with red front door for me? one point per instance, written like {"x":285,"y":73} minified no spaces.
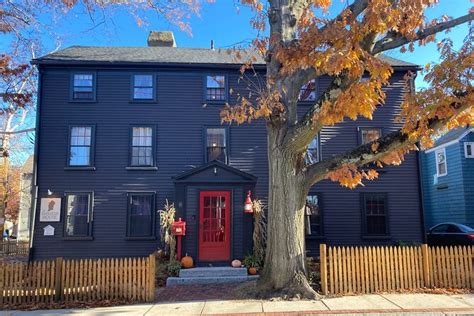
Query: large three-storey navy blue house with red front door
{"x":123,"y":129}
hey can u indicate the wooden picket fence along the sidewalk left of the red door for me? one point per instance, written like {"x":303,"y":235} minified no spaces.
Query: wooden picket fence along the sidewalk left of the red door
{"x":78,"y":280}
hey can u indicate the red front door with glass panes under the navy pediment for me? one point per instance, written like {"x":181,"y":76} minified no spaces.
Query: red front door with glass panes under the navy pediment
{"x":214,"y":225}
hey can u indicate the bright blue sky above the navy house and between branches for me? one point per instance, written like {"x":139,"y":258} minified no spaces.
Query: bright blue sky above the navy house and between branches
{"x":224,"y":22}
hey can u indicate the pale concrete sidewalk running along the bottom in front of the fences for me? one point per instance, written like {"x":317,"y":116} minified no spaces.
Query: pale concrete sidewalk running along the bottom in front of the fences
{"x":397,"y":304}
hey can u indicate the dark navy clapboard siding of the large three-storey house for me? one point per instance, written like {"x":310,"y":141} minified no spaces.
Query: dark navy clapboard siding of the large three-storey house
{"x":179,"y":116}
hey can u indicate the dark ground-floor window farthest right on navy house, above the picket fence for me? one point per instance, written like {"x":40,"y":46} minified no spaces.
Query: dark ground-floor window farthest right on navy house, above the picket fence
{"x":374,"y":214}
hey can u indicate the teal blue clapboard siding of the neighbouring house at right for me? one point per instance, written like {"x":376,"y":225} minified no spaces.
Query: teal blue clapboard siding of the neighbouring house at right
{"x":450,"y":197}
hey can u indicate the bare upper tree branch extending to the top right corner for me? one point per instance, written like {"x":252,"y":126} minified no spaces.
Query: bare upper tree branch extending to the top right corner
{"x":394,"y":40}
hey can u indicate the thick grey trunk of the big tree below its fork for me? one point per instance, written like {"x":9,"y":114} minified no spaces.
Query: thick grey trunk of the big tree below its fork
{"x":285,"y":267}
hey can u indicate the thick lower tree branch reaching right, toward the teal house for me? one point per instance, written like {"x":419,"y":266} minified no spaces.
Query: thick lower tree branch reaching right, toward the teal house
{"x":364,"y":154}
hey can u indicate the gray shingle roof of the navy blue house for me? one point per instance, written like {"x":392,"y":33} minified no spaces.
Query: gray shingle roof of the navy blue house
{"x":161,"y":55}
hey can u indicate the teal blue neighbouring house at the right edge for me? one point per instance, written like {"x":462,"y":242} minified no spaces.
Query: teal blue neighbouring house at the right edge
{"x":448,"y":179}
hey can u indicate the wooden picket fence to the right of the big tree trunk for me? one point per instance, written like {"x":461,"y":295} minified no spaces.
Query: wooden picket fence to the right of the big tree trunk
{"x":347,"y":270}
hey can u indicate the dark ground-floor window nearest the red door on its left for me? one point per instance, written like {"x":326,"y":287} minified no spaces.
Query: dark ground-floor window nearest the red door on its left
{"x":141,"y":214}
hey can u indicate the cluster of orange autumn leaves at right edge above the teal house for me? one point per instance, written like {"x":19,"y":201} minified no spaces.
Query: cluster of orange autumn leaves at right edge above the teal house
{"x":448,"y":98}
